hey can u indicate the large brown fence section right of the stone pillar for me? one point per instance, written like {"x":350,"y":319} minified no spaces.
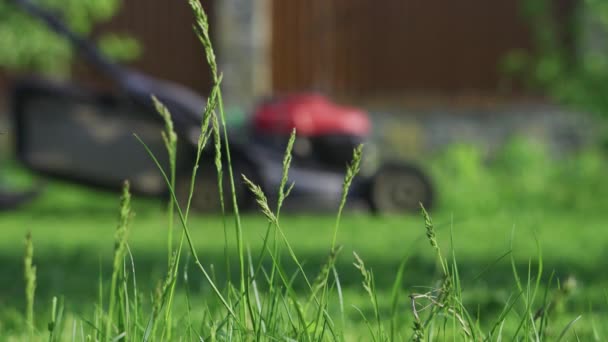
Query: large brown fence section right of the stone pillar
{"x":368,"y":47}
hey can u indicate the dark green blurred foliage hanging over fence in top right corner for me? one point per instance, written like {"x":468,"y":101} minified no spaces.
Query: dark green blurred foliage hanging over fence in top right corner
{"x":569,"y":60}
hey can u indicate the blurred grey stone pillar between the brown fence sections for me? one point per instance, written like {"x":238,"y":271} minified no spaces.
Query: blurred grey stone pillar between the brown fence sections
{"x":243,"y":38}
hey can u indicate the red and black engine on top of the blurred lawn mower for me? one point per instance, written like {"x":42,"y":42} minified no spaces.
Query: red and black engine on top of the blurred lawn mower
{"x":326,"y":131}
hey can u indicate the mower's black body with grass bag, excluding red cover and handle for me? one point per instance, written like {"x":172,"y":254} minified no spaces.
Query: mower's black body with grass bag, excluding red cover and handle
{"x":69,"y":133}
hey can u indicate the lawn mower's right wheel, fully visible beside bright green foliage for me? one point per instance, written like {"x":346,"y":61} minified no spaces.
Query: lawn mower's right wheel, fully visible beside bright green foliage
{"x":399,"y":188}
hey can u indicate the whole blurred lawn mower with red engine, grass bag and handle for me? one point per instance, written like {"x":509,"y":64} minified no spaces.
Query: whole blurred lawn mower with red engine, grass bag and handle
{"x":67,"y":131}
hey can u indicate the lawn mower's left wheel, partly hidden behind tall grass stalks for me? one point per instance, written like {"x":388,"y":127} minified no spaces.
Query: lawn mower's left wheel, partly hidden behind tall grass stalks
{"x":206,"y":197}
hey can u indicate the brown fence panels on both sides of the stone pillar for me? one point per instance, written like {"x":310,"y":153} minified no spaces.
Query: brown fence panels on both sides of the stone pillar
{"x":347,"y":47}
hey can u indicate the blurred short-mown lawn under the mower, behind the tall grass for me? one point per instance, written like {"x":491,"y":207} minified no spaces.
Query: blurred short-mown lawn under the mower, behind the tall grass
{"x":73,"y":230}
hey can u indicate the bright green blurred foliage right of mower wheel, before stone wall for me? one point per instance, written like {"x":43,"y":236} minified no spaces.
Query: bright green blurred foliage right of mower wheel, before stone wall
{"x":521,"y":175}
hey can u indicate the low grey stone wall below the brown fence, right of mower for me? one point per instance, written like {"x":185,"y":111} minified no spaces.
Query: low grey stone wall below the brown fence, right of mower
{"x":417,"y":134}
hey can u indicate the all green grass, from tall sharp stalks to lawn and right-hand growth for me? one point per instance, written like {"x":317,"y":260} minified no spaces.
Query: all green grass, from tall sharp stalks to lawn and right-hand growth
{"x":515,"y":250}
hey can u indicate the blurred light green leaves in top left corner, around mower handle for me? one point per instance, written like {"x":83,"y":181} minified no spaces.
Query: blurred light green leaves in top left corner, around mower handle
{"x":26,"y":44}
